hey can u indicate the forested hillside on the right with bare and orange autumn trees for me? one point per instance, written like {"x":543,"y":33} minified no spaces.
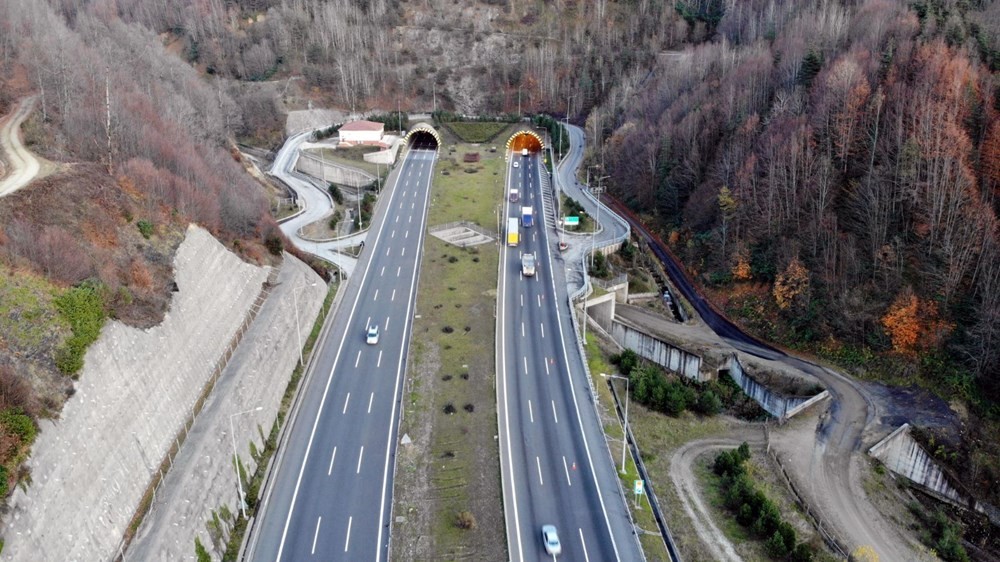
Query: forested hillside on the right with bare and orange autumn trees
{"x":831,"y":173}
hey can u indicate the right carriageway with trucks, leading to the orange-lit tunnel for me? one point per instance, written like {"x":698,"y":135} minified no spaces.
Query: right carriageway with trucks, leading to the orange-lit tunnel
{"x":555,"y":464}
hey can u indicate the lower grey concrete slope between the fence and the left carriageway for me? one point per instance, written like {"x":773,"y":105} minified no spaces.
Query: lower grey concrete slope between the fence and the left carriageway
{"x":202,"y":477}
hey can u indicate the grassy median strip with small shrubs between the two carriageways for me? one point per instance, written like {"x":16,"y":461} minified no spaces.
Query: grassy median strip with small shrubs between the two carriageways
{"x":448,"y":501}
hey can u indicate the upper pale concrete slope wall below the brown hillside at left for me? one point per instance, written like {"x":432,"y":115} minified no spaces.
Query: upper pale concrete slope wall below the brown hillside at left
{"x":91,"y":467}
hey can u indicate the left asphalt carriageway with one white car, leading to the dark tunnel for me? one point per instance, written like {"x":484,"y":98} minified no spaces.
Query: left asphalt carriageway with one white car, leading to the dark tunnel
{"x":330,"y":496}
